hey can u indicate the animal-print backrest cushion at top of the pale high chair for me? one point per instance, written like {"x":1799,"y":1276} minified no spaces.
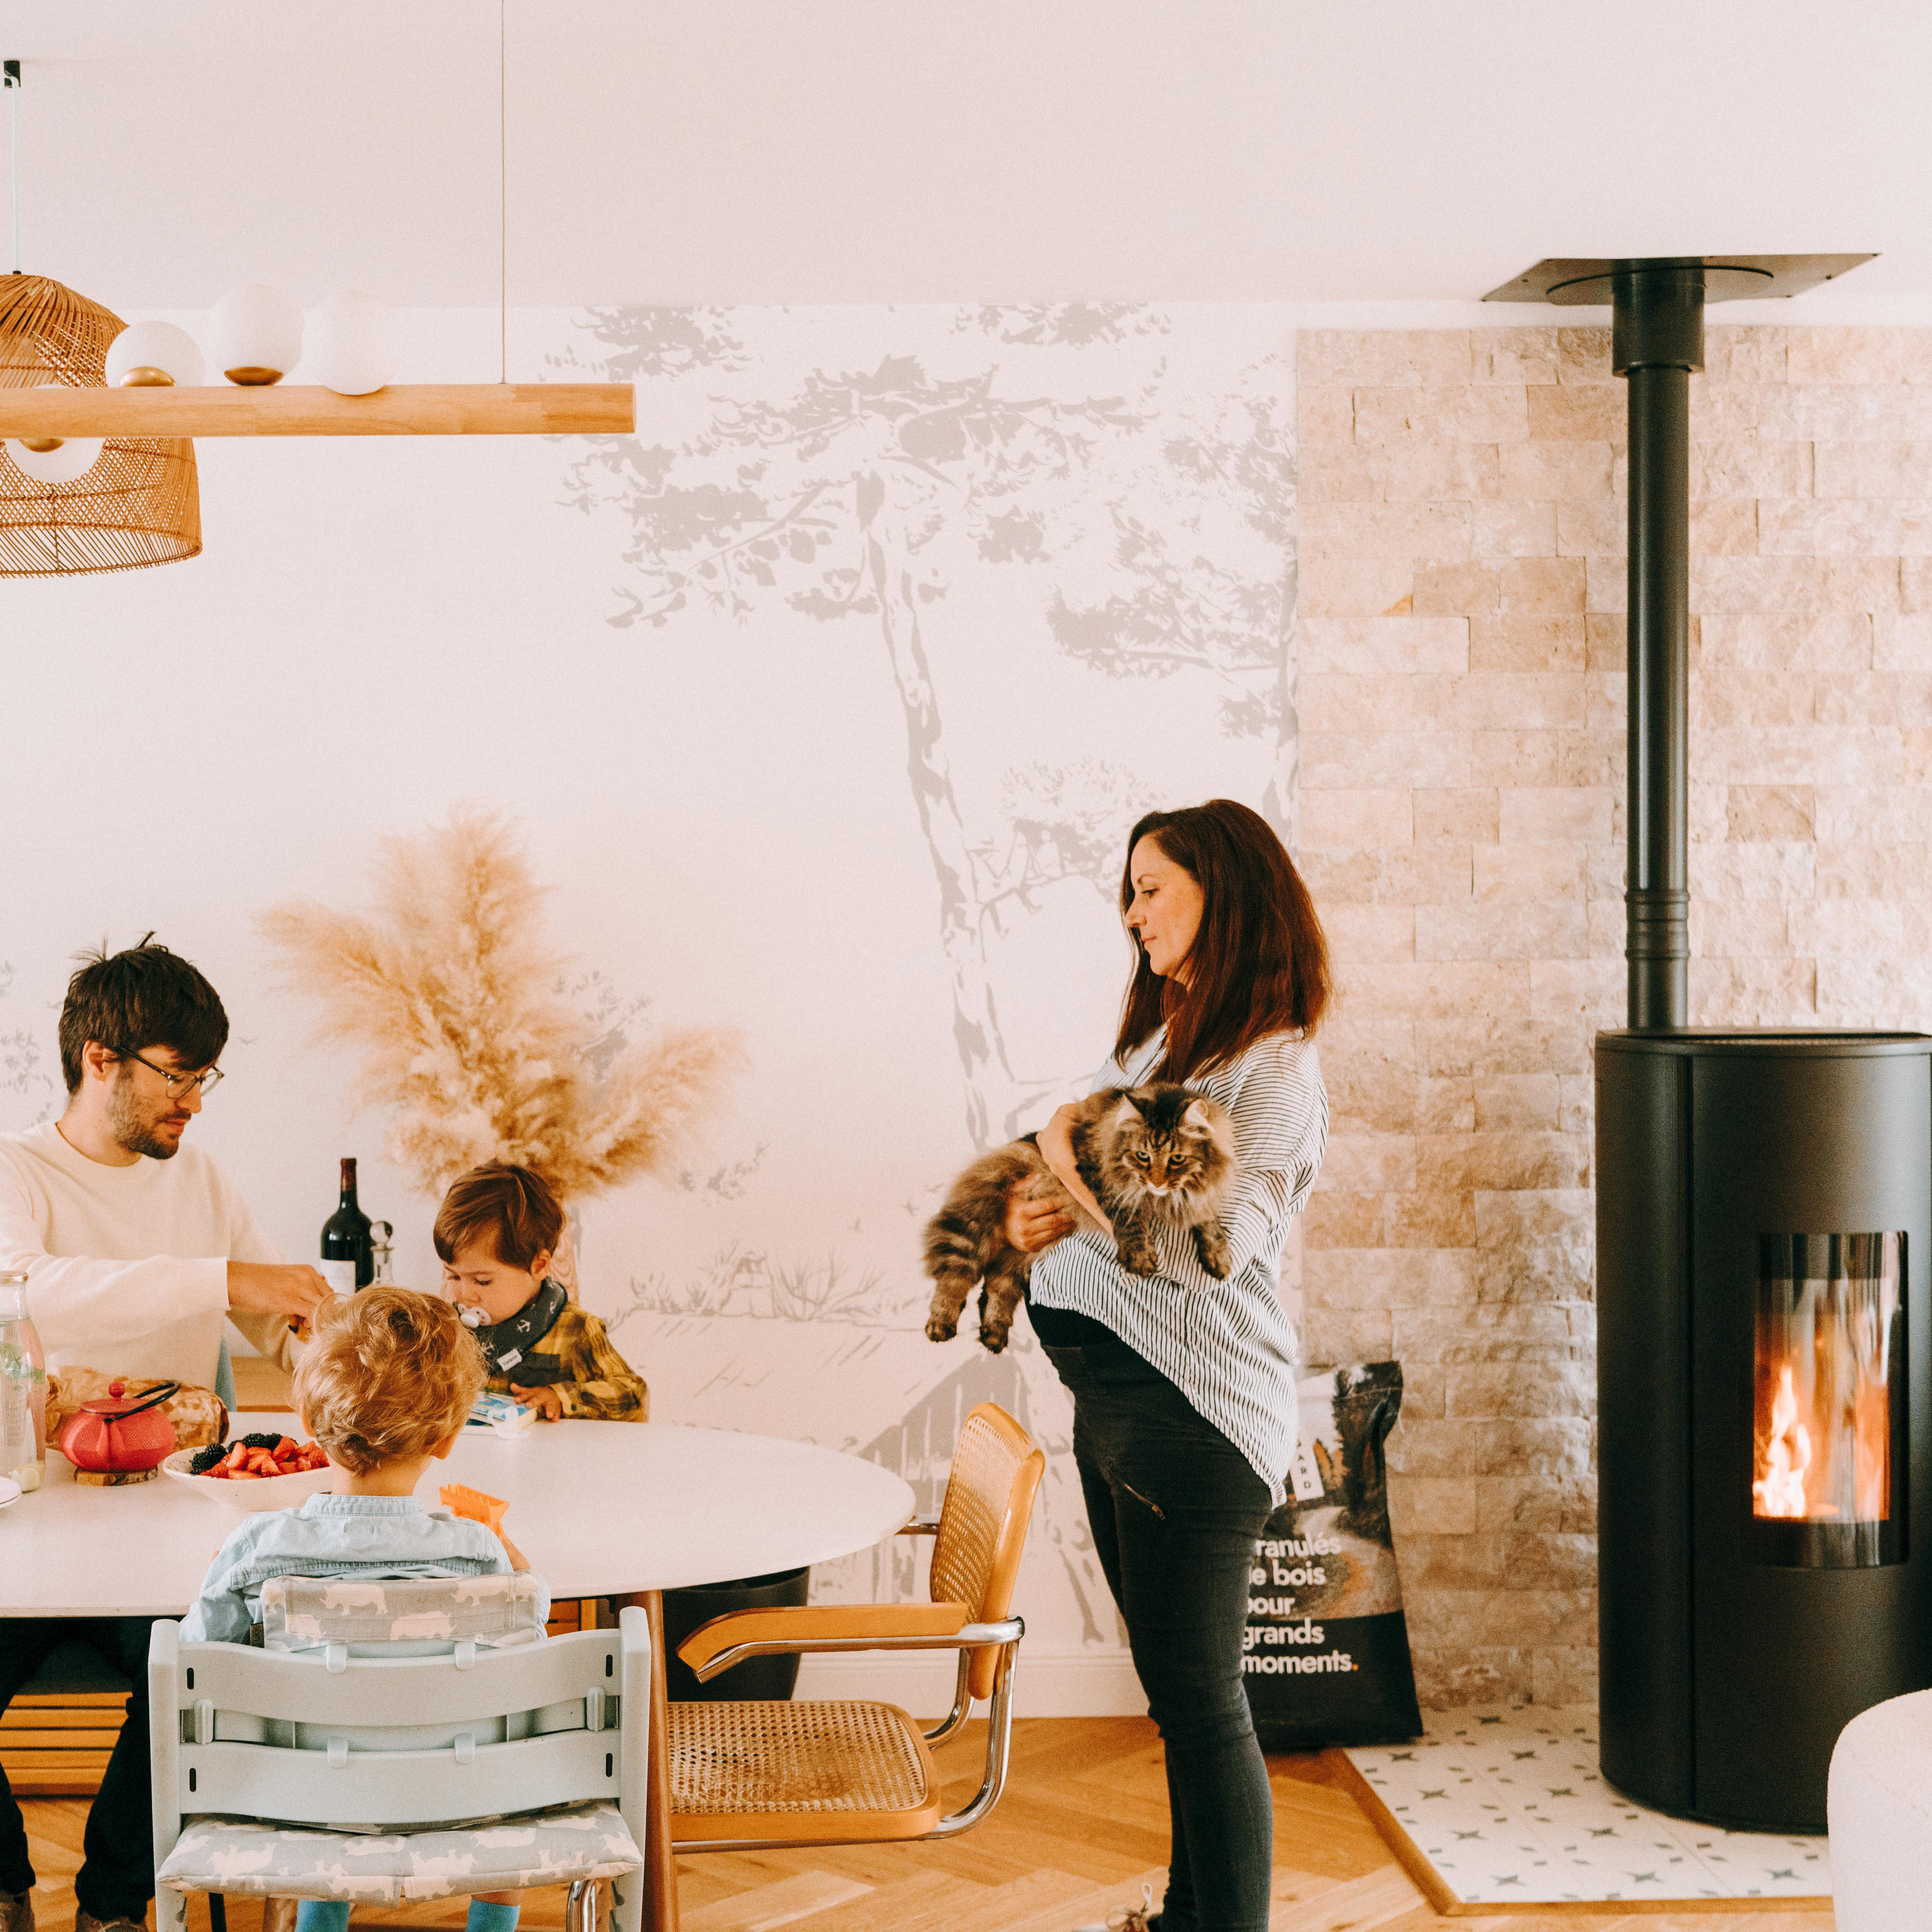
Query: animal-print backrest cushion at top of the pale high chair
{"x":401,"y":1616}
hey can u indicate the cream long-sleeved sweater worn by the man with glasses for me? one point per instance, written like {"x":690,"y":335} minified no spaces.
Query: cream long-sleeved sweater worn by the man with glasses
{"x":128,"y":1266}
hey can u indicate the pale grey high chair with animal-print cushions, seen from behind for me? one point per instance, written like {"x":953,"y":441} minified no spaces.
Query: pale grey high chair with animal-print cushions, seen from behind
{"x":395,"y":1742}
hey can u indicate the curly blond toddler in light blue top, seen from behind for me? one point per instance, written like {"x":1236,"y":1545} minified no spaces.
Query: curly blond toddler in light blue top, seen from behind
{"x":385,"y":1390}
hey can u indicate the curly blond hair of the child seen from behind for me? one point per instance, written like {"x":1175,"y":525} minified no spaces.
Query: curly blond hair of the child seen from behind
{"x":387,"y":1377}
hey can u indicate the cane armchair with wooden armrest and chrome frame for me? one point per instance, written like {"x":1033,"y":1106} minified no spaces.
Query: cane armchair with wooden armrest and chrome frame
{"x":760,"y":1775}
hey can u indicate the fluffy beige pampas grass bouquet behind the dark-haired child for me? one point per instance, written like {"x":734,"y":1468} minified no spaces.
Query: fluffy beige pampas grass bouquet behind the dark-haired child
{"x":449,"y":996}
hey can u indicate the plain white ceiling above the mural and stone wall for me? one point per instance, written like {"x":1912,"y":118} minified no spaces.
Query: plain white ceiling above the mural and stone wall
{"x":963,"y":150}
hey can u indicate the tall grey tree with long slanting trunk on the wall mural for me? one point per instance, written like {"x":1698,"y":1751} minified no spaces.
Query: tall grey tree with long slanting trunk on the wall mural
{"x":836,"y":501}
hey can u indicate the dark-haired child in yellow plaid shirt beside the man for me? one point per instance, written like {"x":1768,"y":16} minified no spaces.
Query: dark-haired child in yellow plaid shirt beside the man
{"x":497,"y":1234}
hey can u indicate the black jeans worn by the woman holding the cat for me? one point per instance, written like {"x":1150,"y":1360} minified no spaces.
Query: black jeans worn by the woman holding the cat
{"x":1176,"y":1512}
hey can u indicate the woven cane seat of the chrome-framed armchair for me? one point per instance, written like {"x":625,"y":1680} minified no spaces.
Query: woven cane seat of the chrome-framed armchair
{"x":816,"y":1773}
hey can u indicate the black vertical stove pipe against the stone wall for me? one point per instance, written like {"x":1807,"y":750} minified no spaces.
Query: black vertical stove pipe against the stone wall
{"x":1657,"y":343}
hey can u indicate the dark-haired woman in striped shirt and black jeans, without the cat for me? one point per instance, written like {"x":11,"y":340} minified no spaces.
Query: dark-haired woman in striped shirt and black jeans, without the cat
{"x":1185,"y":1384}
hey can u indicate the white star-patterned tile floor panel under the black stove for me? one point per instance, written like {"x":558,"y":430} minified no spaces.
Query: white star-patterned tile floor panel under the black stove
{"x":1506,"y":1807}
